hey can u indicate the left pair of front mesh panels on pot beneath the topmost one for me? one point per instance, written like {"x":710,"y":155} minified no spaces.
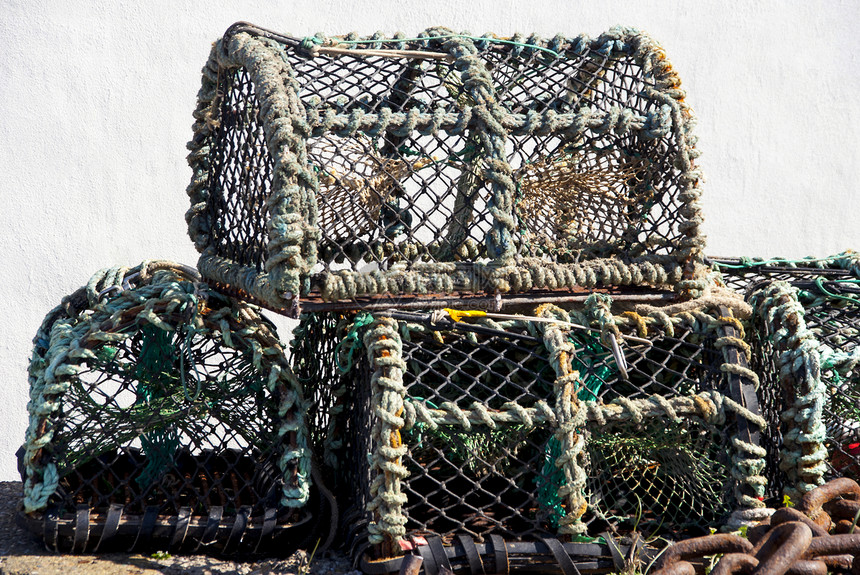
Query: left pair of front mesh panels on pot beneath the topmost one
{"x":481,"y":480}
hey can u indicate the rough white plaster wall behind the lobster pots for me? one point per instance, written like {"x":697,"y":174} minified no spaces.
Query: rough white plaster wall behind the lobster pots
{"x":96,"y":101}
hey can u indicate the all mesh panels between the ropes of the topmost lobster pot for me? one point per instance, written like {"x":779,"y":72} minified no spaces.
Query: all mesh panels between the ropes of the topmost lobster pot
{"x":424,"y":197}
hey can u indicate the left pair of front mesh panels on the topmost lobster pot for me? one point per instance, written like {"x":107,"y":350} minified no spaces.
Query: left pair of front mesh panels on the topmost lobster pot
{"x":418,"y":206}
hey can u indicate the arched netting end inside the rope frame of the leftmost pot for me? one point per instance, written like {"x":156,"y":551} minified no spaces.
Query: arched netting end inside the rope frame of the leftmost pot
{"x":170,"y":419}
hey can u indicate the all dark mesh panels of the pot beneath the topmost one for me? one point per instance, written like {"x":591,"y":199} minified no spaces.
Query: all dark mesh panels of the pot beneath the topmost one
{"x":659,"y":477}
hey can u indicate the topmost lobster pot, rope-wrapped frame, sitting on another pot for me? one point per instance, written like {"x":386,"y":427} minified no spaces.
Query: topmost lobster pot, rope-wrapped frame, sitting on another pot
{"x":345,"y":168}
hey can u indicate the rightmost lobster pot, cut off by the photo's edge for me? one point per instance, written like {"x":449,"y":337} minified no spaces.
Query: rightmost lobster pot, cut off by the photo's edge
{"x":807,"y":330}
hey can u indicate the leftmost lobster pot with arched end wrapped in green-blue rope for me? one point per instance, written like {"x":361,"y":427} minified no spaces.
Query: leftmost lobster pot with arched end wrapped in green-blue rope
{"x":163,"y":416}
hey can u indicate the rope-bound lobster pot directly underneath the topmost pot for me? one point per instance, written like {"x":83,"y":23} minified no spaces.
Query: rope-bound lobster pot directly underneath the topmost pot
{"x":474,"y":430}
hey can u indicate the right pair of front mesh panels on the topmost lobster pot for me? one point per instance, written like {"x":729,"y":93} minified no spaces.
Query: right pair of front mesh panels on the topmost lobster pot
{"x":625,"y":188}
